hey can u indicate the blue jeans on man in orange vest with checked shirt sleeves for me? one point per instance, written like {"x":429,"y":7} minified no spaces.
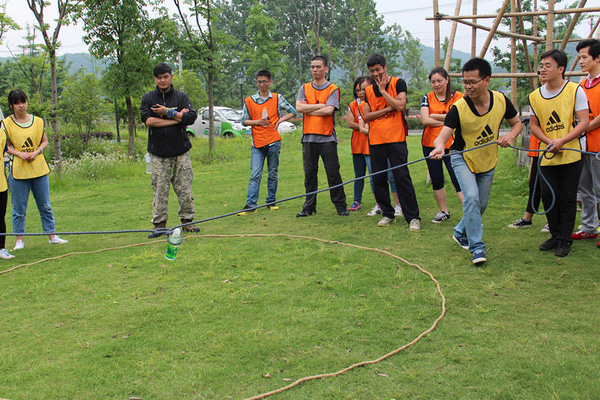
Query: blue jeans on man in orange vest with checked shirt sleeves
{"x":257,"y":161}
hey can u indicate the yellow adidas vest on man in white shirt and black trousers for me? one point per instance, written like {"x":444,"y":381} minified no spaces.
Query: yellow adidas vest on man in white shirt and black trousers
{"x":556,"y":117}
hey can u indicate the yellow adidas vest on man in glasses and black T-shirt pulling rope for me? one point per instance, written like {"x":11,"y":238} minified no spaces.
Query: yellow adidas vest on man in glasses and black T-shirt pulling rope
{"x":477,"y":130}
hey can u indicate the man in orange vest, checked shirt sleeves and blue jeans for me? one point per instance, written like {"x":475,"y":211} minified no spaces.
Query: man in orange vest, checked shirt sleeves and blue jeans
{"x":262,"y":112}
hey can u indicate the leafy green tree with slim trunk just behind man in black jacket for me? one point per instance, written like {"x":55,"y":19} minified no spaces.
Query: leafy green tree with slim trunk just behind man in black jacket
{"x":122,"y":31}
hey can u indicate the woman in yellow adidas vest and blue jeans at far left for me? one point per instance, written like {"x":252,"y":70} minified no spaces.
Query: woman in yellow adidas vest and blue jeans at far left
{"x":29,"y":171}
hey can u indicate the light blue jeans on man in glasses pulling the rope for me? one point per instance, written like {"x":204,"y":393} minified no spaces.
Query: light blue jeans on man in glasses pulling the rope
{"x":476,"y":188}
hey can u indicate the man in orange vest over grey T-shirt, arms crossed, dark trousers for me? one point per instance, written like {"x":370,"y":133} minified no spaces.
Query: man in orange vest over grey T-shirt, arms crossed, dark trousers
{"x":318,"y":100}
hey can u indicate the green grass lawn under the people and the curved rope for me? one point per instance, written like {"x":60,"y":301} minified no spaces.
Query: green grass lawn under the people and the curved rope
{"x":233,"y":317}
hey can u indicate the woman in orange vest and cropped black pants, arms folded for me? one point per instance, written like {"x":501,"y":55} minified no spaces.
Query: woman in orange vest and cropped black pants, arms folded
{"x":434,"y":107}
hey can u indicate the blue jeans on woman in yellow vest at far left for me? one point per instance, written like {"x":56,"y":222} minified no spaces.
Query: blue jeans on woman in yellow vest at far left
{"x":19,"y":196}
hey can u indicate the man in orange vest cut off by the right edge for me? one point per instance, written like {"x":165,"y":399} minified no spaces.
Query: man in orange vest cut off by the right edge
{"x":589,"y":183}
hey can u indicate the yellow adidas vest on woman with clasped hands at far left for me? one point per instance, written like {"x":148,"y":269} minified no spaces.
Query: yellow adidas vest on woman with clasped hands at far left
{"x":27,"y":139}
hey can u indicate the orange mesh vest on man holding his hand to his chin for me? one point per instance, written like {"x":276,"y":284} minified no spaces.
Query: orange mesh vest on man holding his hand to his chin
{"x":391,"y":127}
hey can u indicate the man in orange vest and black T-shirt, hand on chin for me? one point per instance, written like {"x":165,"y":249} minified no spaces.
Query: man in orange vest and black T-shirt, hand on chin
{"x":384,"y":111}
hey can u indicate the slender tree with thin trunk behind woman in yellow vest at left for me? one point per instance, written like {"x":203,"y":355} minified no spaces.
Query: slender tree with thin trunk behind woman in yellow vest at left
{"x":66,"y":9}
